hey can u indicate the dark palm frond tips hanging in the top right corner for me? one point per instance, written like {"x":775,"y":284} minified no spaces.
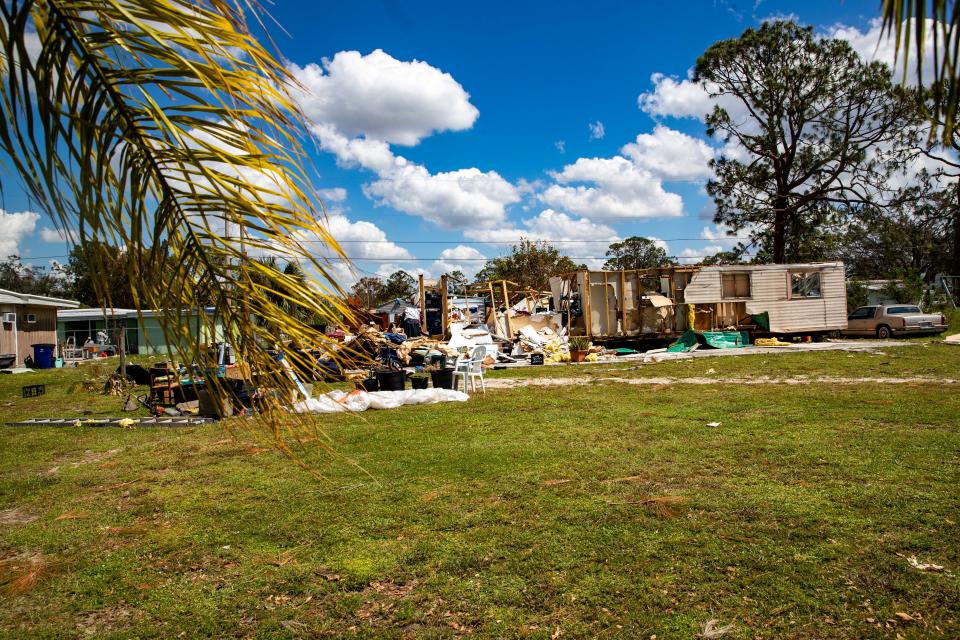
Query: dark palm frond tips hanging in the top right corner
{"x":908,"y":21}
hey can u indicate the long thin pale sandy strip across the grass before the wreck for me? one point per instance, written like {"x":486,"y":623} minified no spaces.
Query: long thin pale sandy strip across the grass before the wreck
{"x":508,"y":383}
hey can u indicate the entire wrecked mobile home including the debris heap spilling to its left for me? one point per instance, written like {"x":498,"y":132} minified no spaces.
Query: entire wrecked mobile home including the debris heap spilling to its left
{"x":499,"y":323}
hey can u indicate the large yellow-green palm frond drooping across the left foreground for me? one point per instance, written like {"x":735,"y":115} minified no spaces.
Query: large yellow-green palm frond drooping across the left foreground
{"x":163,"y":126}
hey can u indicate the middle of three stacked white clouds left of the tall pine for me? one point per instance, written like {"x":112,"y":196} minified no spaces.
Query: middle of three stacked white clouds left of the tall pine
{"x":670,"y":154}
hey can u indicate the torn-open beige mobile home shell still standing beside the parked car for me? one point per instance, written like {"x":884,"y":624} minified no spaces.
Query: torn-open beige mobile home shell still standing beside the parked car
{"x":648,"y":304}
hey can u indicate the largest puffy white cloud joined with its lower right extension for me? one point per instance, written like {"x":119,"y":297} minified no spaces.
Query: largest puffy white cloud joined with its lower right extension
{"x":360,"y":105}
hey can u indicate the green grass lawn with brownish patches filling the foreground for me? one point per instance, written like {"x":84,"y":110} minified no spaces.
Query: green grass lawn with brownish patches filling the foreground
{"x":595,"y":510}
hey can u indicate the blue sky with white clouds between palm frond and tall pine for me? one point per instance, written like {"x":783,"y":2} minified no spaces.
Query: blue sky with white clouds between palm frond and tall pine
{"x":446,"y":131}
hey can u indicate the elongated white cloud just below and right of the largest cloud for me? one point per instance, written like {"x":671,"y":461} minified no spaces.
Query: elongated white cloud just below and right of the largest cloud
{"x":451,"y":200}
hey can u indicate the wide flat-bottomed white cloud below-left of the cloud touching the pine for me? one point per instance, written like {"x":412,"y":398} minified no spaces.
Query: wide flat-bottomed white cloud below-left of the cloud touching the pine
{"x":623,"y":191}
